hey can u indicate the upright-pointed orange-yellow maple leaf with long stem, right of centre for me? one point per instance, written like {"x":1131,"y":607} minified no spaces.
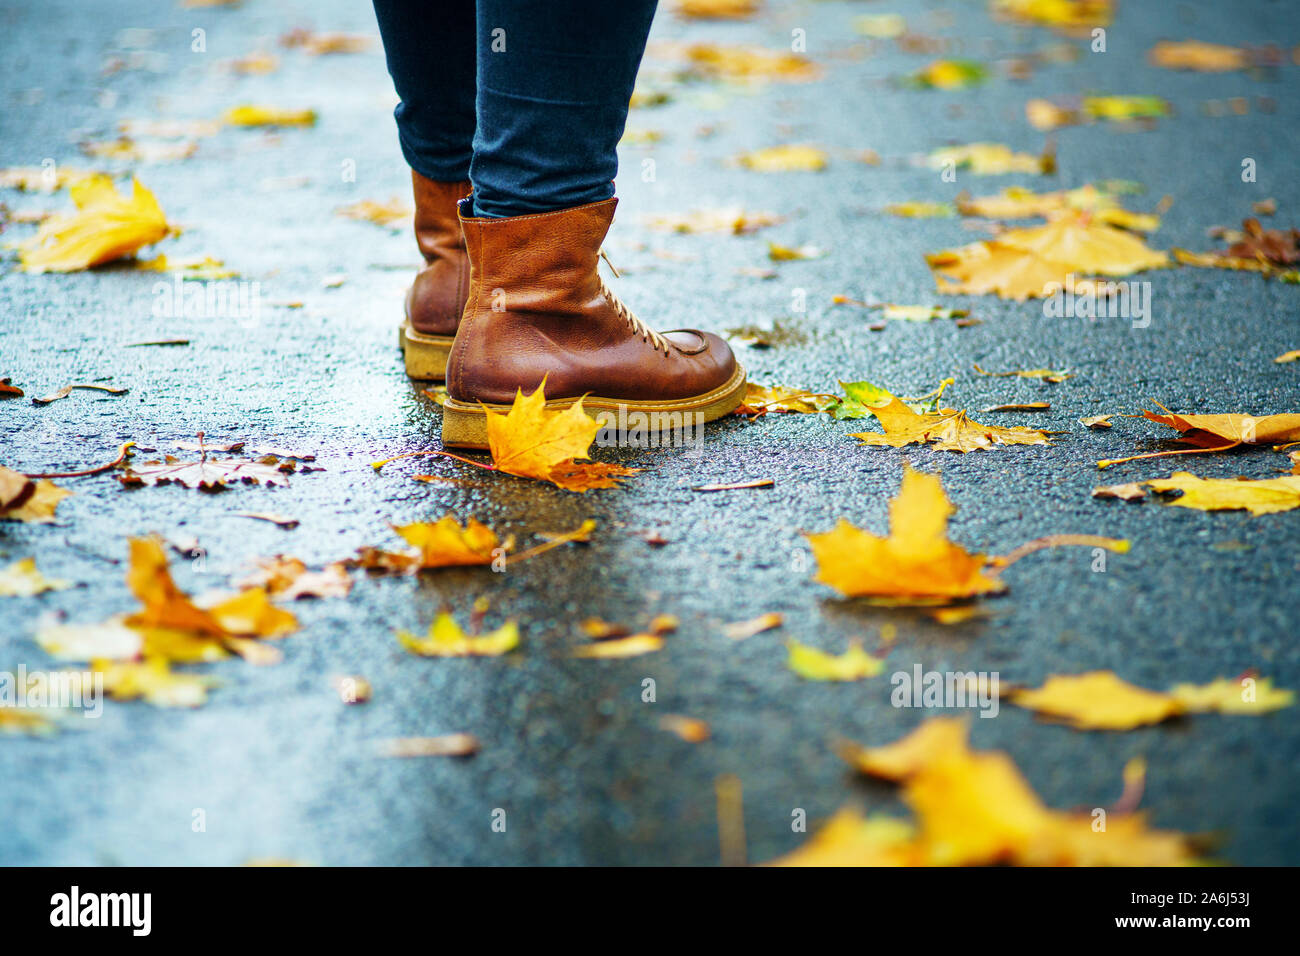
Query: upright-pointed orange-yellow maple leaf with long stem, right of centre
{"x":916,"y":564}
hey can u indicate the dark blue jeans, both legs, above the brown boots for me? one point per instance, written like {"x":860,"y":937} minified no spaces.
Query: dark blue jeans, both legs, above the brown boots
{"x":525,"y":98}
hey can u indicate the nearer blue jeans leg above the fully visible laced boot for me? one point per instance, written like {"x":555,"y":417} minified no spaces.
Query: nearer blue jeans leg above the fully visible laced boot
{"x":554,"y":83}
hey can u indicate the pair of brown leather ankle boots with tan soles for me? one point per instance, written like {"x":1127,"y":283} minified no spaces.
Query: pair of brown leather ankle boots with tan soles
{"x":505,"y":302}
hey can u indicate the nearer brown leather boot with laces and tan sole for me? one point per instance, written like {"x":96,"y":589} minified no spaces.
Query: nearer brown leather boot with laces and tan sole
{"x":539,"y":309}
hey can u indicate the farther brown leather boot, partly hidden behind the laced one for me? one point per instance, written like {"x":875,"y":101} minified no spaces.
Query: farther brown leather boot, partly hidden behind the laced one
{"x":437,"y":297}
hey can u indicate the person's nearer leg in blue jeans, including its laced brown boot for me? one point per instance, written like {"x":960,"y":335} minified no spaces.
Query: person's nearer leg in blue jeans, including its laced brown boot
{"x":554,"y":83}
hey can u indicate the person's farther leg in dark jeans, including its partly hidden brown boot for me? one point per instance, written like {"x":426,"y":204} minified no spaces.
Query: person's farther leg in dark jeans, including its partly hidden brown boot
{"x":431,"y":54}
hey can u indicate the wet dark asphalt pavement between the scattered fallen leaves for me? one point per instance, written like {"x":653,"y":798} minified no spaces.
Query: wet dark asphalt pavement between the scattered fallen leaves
{"x":571,"y":752}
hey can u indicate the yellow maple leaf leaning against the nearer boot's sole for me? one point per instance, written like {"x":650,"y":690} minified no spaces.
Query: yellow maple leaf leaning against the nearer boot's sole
{"x":539,"y":443}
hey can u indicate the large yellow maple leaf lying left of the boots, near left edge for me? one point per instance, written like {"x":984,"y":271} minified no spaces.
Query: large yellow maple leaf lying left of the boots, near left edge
{"x":106,"y":227}
